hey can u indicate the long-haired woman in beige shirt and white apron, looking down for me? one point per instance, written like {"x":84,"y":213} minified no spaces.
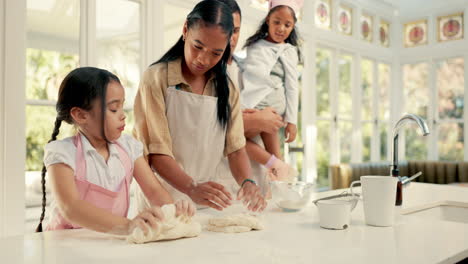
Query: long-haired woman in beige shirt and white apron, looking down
{"x":187,"y":114}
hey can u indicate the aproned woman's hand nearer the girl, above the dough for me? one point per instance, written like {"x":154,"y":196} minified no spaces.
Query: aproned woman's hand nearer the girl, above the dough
{"x":211,"y":194}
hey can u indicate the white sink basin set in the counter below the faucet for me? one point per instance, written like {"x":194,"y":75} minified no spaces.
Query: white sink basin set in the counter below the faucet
{"x":443,"y":210}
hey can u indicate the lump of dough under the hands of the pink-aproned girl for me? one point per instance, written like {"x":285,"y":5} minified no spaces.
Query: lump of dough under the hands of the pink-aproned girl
{"x":171,"y":228}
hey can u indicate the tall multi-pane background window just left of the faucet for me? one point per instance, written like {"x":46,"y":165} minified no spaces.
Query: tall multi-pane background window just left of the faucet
{"x":348,"y":131}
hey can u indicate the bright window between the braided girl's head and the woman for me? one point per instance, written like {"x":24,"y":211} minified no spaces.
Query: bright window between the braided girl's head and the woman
{"x":118,"y":43}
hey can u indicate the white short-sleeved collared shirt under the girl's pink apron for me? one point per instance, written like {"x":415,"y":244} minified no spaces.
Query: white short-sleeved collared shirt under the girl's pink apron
{"x":107,"y":175}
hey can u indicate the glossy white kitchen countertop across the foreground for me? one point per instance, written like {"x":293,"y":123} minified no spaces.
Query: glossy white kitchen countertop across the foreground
{"x":288,"y":238}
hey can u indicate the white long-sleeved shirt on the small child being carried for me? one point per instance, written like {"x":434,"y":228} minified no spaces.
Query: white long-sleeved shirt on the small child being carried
{"x":256,"y":69}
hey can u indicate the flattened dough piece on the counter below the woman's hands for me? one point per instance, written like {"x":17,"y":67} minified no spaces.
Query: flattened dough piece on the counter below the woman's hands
{"x":234,"y":223}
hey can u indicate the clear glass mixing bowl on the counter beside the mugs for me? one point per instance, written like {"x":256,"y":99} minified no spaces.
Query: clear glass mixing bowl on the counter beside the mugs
{"x":291,"y":197}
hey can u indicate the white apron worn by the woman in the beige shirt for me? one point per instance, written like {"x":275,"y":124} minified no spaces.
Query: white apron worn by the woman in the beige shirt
{"x":198,"y":139}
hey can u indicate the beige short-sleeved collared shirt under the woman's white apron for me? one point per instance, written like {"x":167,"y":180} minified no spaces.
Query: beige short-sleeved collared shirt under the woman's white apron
{"x":151,"y":126}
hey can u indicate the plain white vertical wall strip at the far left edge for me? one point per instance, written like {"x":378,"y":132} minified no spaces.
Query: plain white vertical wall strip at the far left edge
{"x":12,"y":112}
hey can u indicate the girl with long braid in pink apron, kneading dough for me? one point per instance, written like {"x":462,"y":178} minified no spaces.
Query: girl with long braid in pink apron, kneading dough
{"x":91,"y":172}
